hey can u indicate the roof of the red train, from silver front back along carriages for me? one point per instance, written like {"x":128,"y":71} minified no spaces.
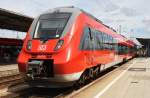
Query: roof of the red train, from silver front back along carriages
{"x":76,"y":11}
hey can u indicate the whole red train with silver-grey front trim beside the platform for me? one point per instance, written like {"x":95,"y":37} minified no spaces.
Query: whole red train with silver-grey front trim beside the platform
{"x":66,"y":45}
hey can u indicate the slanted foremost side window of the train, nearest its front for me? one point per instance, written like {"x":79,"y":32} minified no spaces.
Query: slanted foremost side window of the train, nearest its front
{"x":86,"y":39}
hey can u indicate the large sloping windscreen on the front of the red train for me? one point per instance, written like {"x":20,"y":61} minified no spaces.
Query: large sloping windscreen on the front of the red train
{"x":51,"y":26}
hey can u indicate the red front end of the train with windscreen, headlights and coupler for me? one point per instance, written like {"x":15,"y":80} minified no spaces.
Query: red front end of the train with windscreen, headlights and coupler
{"x":44,"y":55}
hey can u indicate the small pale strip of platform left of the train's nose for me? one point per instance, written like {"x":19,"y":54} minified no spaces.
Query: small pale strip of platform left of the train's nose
{"x":9,"y":70}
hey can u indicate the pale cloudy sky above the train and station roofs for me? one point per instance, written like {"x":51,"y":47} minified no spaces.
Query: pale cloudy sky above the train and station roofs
{"x":131,"y":17}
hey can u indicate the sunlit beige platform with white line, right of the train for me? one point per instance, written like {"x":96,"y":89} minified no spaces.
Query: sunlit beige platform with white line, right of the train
{"x":131,"y":80}
